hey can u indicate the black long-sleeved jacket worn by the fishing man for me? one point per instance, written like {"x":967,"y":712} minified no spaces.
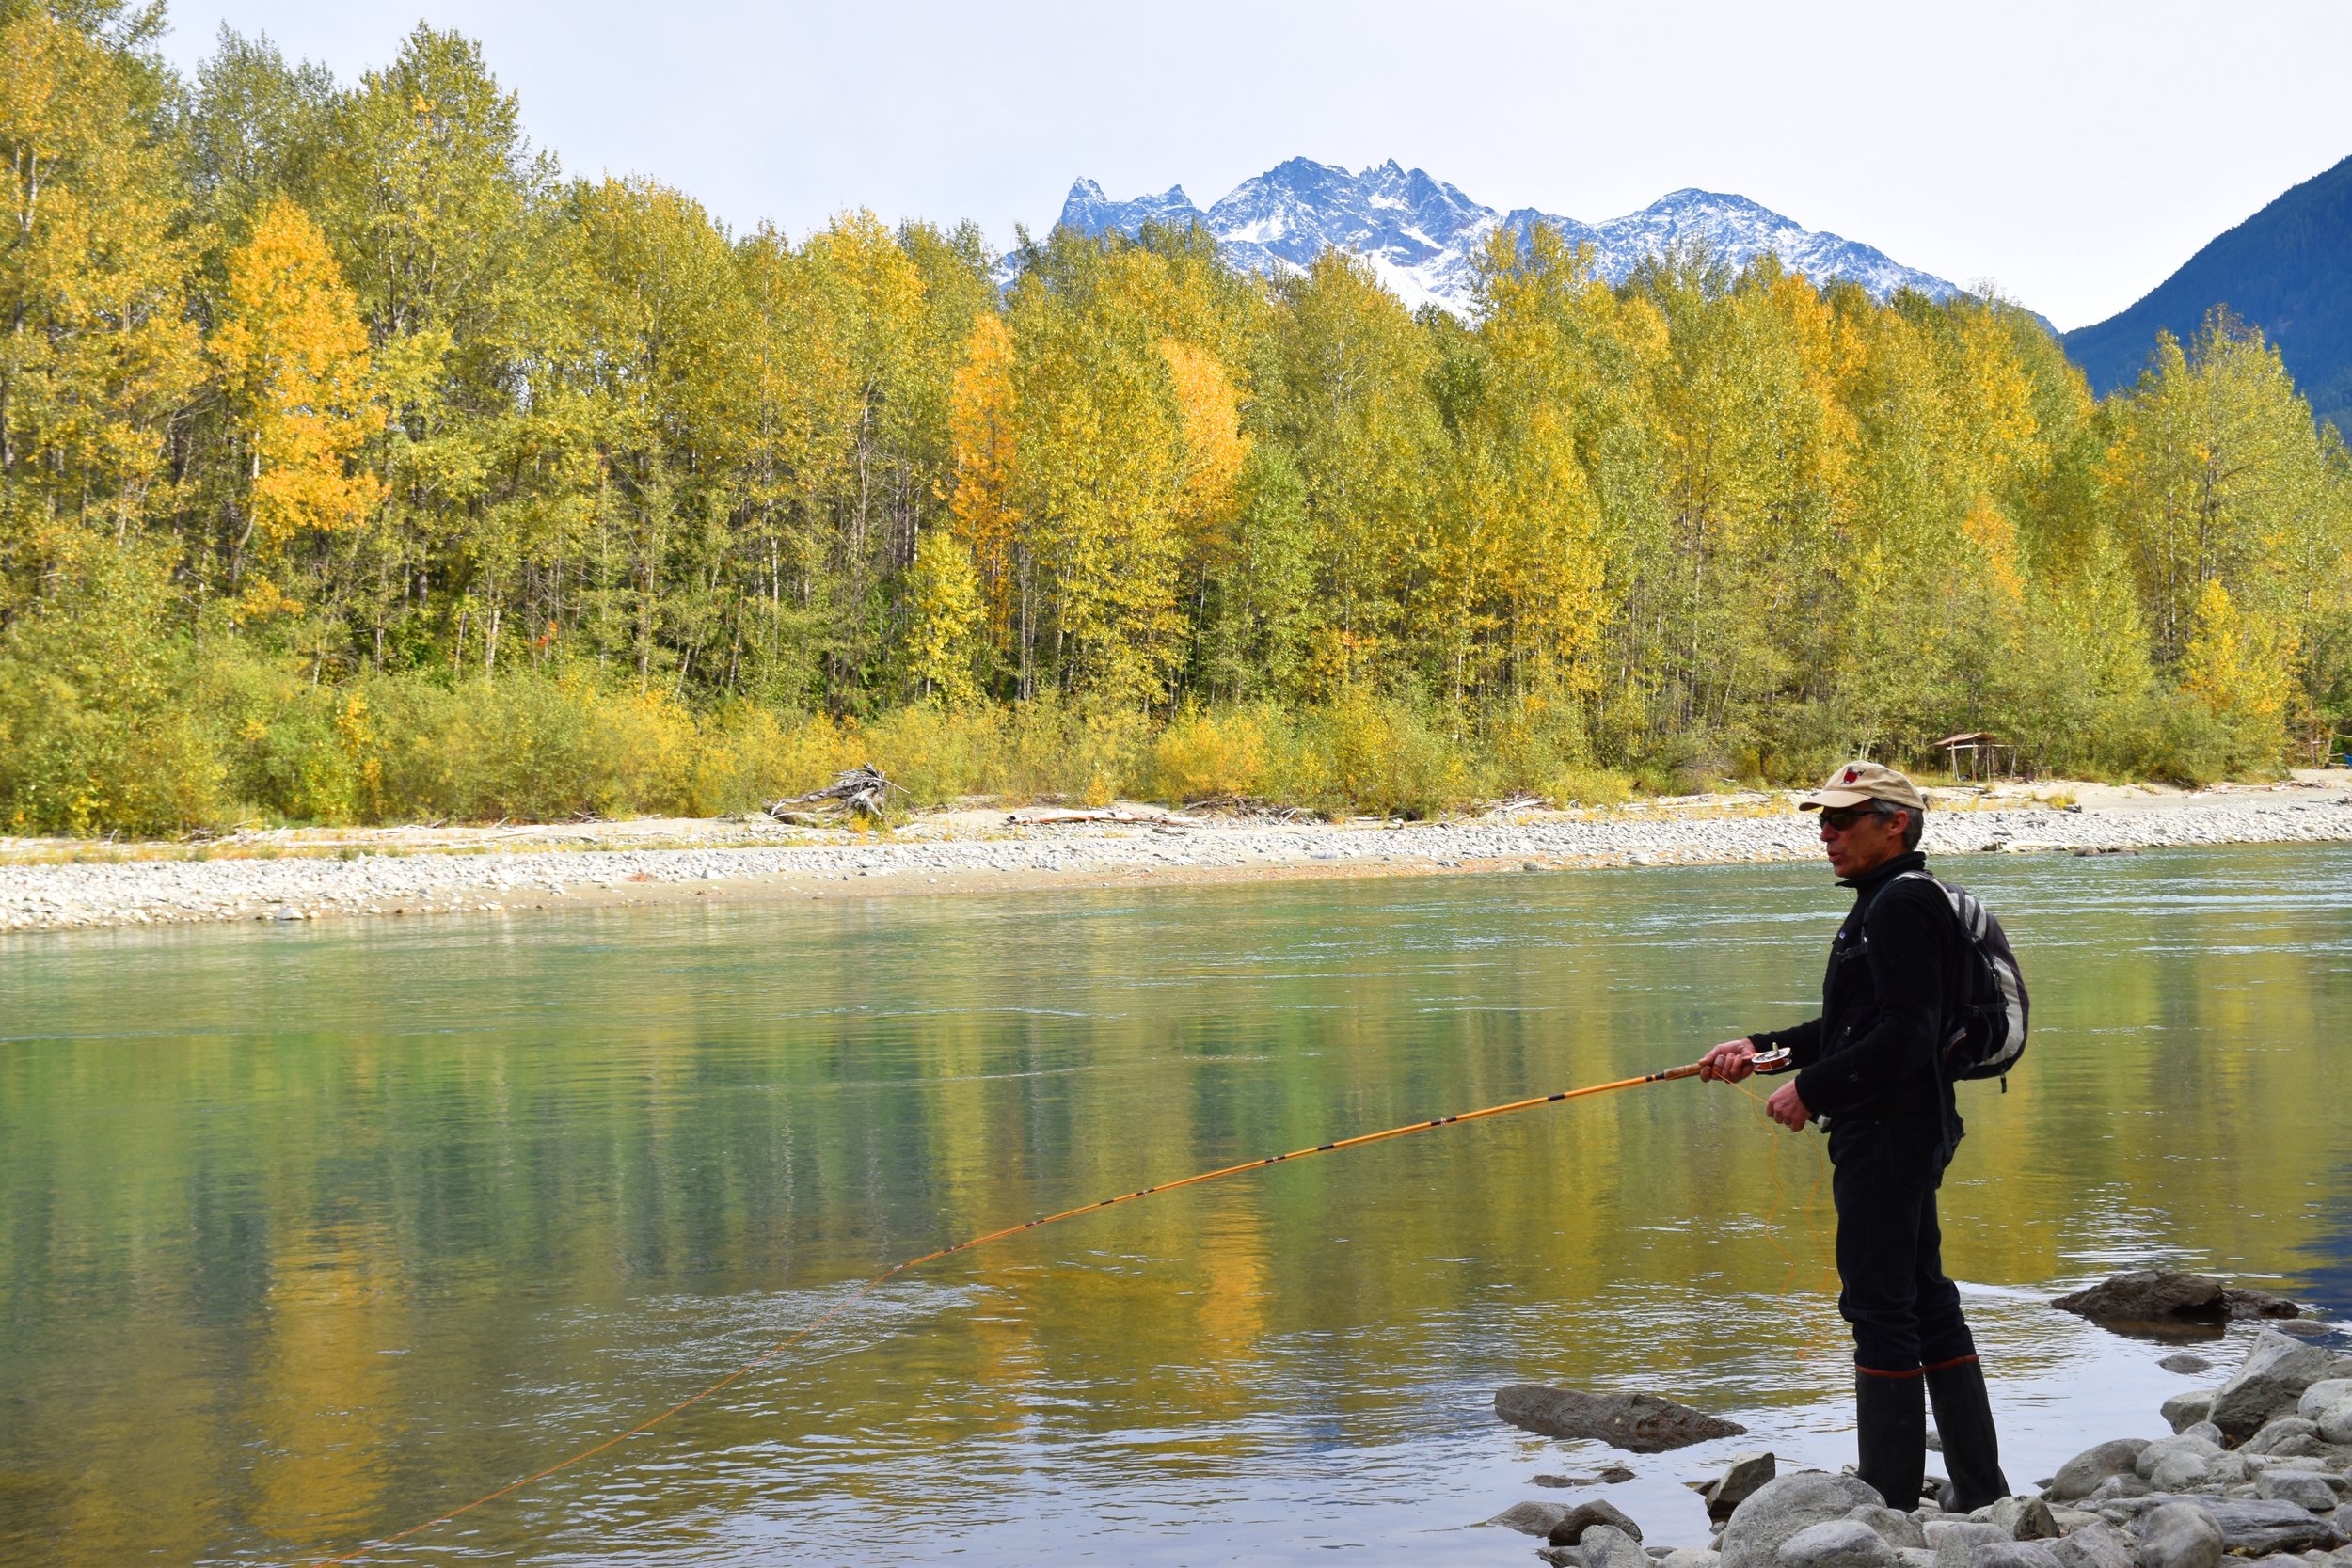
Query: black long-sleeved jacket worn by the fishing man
{"x":1895,"y":977}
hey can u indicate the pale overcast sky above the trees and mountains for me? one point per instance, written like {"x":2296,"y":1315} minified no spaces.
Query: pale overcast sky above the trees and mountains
{"x":2069,"y":154}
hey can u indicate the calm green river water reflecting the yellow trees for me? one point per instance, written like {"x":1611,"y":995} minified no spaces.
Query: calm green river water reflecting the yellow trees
{"x":312,"y":1233}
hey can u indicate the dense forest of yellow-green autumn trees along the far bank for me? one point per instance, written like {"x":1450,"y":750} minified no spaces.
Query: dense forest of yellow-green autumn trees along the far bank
{"x":356,"y":462}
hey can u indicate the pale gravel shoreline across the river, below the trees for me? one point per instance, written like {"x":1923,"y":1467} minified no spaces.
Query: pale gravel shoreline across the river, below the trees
{"x":55,"y":885}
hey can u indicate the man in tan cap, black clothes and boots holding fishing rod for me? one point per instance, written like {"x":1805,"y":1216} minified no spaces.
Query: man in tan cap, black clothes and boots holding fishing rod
{"x":1873,"y":1068}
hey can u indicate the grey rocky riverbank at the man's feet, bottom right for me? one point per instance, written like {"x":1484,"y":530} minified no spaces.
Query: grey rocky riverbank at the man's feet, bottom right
{"x":2257,"y":1468}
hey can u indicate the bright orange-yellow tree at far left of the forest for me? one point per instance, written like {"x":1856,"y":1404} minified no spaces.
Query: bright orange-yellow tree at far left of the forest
{"x":293,"y":359}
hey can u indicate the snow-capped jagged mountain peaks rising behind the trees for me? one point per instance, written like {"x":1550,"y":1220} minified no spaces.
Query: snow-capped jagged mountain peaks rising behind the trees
{"x":1419,"y":234}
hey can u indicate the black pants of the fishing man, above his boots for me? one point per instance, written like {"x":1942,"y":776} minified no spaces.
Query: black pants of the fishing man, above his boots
{"x":1890,"y":1249}
